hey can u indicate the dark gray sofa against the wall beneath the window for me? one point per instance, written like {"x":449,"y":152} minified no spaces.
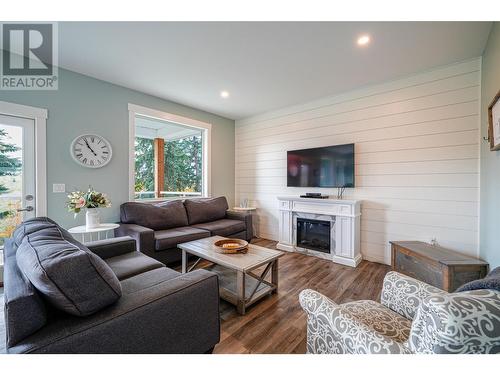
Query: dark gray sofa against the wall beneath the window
{"x":159,"y":227}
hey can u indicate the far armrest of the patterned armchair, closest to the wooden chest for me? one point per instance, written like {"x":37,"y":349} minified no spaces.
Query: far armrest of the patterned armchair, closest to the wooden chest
{"x":404,"y":294}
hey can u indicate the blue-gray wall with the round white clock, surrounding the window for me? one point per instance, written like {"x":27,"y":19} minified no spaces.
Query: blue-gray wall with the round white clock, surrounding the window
{"x":83,"y":104}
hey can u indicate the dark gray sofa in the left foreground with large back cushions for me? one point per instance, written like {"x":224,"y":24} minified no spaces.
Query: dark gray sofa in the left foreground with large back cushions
{"x":105,"y":297}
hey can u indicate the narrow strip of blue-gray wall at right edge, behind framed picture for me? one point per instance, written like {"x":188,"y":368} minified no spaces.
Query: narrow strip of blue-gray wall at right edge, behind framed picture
{"x":490,"y":160}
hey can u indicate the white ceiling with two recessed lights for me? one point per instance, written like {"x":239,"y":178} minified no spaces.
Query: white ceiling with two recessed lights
{"x":264,"y":66}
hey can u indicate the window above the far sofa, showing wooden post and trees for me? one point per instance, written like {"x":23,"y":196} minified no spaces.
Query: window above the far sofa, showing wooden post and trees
{"x":169,"y":157}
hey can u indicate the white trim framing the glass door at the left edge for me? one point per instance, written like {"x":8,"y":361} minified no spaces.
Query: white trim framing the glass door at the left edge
{"x":39,"y":116}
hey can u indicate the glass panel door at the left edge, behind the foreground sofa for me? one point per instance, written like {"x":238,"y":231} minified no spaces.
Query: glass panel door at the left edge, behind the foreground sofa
{"x":17,"y":173}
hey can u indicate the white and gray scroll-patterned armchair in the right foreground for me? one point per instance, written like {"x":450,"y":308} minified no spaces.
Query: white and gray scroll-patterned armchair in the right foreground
{"x":413,"y":317}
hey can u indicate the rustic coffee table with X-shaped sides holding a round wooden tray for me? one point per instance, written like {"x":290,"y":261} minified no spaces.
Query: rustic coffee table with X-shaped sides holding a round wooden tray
{"x":238,"y":283}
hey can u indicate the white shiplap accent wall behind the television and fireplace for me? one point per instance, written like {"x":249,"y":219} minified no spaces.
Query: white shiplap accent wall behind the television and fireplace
{"x":417,"y":157}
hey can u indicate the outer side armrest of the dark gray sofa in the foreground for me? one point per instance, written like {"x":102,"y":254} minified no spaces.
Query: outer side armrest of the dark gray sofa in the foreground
{"x":180,"y":315}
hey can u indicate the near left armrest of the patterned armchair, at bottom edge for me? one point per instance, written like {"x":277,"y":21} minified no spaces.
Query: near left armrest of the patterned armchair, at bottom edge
{"x":331,"y":328}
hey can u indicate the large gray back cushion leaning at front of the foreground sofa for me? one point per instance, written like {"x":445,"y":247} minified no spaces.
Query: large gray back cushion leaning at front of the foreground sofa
{"x":69,"y":275}
